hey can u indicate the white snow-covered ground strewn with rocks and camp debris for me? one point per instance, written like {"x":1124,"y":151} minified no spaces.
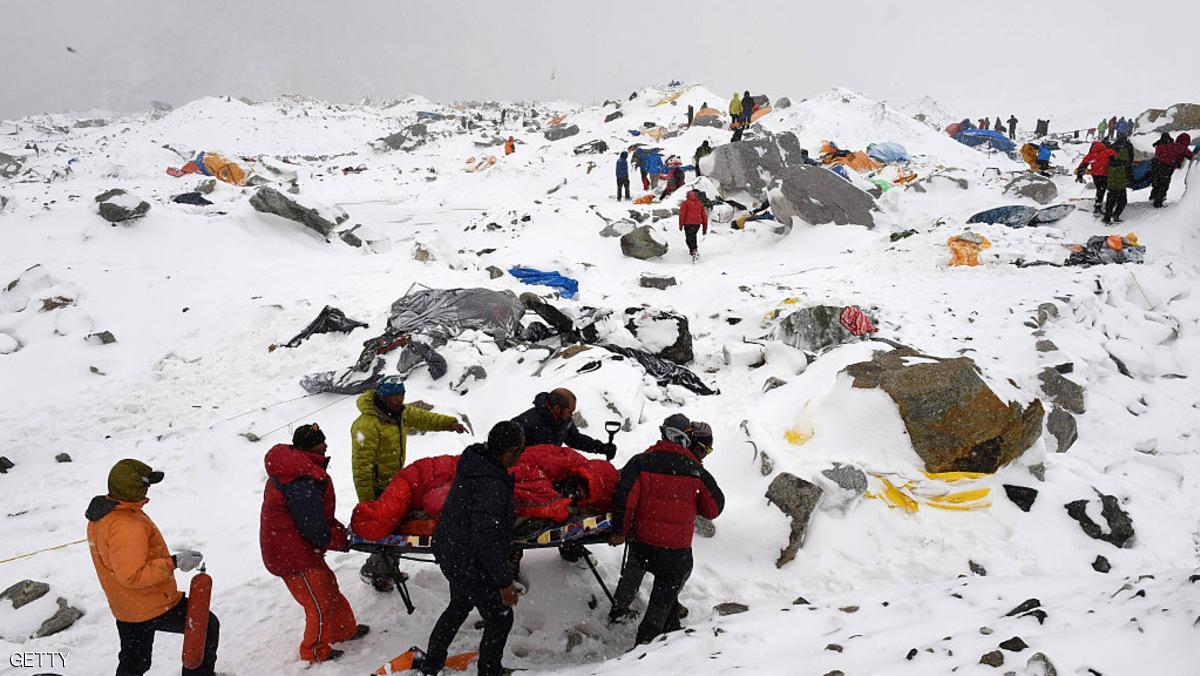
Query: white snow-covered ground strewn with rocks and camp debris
{"x":195,"y":296}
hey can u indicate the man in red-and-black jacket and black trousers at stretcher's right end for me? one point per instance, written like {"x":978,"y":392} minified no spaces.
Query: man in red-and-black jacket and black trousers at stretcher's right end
{"x":659,"y":495}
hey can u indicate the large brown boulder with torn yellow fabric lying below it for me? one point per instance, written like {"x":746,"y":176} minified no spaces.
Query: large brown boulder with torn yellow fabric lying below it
{"x":955,"y":421}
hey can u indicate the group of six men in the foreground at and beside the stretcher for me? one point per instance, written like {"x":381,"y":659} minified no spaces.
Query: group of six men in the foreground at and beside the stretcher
{"x":659,"y":496}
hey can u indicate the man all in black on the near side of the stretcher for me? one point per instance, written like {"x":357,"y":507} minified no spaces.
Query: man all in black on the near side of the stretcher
{"x":472,"y":543}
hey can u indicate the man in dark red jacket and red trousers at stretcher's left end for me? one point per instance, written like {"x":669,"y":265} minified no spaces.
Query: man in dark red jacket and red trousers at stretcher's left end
{"x":297,"y":529}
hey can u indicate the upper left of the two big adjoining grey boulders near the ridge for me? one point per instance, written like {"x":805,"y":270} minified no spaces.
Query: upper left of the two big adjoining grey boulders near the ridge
{"x":754,"y":166}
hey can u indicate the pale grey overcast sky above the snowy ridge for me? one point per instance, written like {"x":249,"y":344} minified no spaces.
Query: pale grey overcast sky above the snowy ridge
{"x":1064,"y":58}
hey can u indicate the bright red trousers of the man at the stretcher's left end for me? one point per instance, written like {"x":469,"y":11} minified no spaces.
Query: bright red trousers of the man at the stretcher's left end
{"x":328,"y":615}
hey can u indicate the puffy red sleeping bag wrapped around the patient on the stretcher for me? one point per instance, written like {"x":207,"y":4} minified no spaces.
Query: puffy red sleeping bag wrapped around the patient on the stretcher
{"x":551,"y":483}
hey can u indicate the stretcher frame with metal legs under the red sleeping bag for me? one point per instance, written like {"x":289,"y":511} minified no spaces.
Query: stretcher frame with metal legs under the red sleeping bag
{"x":571,"y":539}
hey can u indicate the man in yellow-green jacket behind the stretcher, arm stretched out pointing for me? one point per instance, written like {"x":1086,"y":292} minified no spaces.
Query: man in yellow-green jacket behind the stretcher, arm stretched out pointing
{"x":379,"y":446}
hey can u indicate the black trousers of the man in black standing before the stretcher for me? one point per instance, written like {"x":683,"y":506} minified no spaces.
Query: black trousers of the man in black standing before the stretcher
{"x":471,"y":591}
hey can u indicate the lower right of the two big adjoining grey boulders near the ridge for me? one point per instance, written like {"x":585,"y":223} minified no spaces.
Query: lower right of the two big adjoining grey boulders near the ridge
{"x":817,"y":196}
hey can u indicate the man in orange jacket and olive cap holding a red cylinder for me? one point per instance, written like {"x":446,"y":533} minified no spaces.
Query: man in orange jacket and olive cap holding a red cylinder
{"x":139,"y":573}
